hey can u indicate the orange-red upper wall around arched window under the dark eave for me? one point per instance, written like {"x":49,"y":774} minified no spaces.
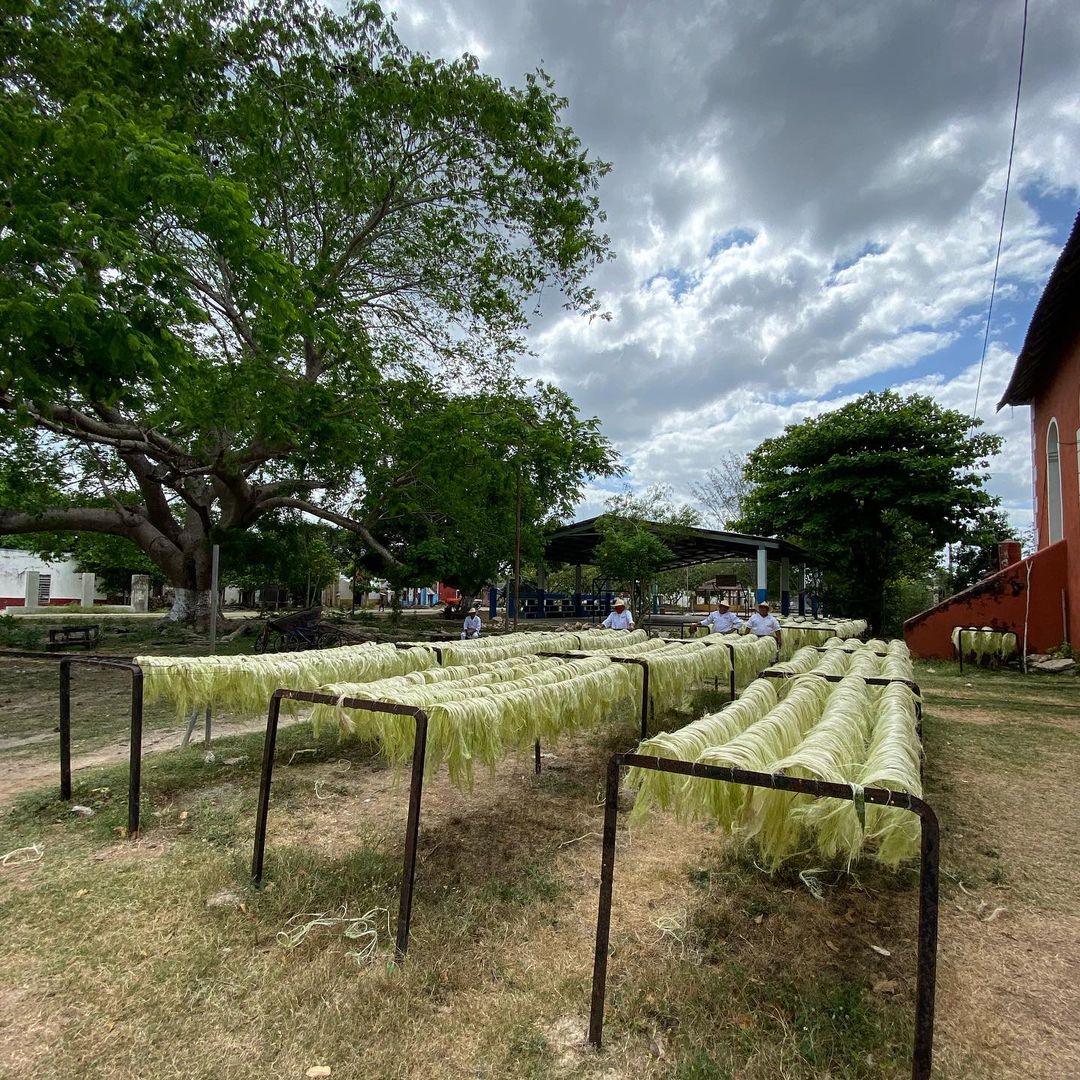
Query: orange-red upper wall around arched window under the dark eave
{"x":1061,"y":400}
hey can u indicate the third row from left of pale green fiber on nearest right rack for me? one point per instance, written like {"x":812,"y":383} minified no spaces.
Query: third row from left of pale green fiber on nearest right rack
{"x":831,"y":751}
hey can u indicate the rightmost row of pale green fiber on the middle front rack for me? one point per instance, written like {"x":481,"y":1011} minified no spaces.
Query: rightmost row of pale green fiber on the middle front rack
{"x":470,"y":722}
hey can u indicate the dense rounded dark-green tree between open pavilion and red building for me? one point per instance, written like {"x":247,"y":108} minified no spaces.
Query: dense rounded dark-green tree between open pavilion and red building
{"x":875,"y":490}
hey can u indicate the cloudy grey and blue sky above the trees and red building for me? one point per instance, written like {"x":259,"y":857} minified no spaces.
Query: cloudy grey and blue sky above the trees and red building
{"x":804,"y":202}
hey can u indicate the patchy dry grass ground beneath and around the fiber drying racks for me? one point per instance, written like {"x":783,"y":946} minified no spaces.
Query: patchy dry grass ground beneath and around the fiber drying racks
{"x":156,"y":958}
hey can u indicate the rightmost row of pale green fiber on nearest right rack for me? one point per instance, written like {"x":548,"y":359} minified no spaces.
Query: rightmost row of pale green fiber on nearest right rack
{"x":893,"y":761}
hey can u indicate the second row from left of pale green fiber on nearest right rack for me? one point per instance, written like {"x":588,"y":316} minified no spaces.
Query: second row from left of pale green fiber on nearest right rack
{"x":767,"y":740}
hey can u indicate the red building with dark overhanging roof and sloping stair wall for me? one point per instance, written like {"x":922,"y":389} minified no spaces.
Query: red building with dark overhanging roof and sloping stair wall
{"x":1037,"y":598}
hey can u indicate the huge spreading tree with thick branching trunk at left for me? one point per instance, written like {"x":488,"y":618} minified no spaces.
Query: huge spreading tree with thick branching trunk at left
{"x":228,"y":232}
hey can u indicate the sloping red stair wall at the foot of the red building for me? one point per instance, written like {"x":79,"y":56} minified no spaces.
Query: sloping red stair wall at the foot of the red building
{"x":1025,"y":596}
